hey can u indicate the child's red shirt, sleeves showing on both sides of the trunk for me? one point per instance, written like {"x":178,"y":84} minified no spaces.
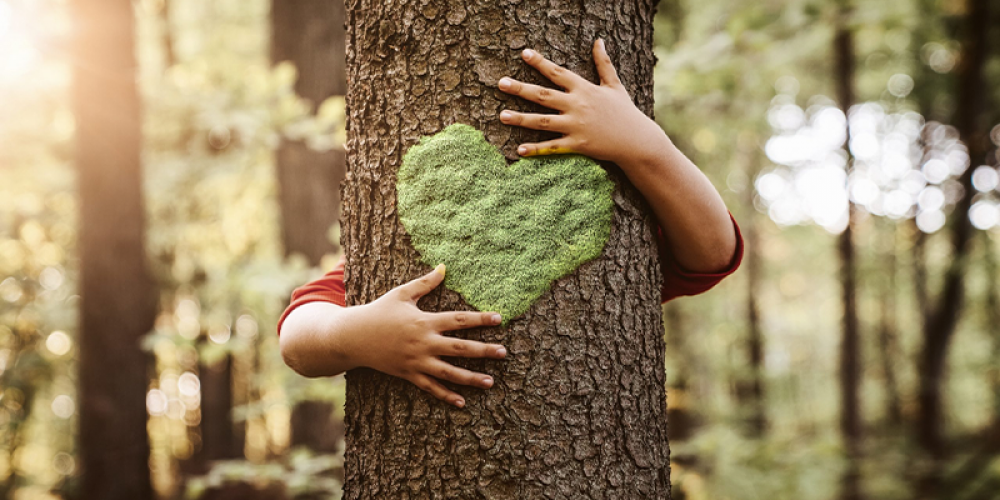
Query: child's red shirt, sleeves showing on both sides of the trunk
{"x":677,"y":281}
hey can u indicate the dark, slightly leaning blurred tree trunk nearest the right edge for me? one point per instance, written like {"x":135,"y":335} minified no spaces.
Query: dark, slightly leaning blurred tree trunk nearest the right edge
{"x":944,"y":313}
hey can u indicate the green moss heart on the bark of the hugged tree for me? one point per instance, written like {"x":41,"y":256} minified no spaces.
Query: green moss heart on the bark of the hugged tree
{"x":504,"y":233}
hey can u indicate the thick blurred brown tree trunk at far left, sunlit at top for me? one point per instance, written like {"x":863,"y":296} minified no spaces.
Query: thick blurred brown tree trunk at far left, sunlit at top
{"x":118,"y":295}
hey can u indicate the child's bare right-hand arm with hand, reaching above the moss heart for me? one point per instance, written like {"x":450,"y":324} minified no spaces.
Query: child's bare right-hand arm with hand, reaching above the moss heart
{"x":601,"y":121}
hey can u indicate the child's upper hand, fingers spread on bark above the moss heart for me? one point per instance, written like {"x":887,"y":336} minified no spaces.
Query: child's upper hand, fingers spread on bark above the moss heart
{"x":597,"y":121}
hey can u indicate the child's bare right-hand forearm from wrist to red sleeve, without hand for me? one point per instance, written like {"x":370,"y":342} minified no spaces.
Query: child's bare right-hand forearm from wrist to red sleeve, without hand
{"x":690,"y":210}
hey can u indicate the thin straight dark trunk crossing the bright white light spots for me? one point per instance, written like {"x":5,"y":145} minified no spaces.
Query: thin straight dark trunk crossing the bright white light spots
{"x":850,"y":346}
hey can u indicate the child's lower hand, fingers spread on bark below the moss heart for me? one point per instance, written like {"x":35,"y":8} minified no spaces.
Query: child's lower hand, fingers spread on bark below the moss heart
{"x":401,"y":340}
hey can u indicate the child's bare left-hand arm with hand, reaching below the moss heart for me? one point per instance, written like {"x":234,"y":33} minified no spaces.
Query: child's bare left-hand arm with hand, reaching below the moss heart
{"x":391,"y":335}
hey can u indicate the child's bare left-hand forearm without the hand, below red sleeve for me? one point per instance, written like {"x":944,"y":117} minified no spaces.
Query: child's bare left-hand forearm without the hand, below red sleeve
{"x":313,"y":339}
